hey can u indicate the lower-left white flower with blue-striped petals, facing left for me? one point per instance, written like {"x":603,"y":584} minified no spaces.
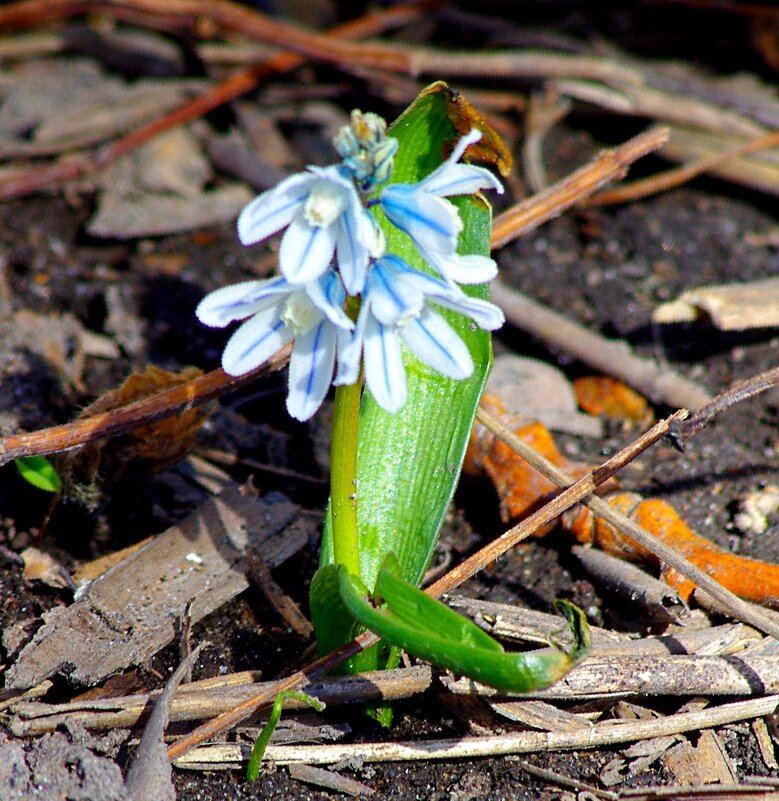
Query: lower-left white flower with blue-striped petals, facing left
{"x":278,"y":312}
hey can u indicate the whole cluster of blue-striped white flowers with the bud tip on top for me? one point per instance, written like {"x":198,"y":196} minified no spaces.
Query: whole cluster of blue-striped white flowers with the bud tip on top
{"x":333,"y":249}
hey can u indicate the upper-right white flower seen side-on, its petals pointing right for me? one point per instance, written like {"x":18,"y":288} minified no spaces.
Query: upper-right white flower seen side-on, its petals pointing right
{"x":433,"y":223}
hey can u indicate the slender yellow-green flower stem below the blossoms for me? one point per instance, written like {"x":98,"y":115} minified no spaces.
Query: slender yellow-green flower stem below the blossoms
{"x":343,"y":477}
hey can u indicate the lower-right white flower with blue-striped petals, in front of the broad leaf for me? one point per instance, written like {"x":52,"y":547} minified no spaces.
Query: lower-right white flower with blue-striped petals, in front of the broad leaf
{"x":395,"y":306}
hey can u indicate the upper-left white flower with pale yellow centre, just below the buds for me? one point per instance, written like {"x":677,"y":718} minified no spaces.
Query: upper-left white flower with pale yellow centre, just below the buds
{"x":324,"y":216}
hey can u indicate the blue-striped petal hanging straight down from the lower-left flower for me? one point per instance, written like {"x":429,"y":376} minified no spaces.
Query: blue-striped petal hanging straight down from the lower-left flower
{"x":311,"y":370}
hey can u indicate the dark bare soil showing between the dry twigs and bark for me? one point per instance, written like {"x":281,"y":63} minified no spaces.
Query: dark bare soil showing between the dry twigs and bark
{"x":607,"y":268}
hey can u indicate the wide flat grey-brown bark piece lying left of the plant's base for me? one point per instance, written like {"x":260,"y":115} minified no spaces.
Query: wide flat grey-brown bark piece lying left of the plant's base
{"x":130,"y":612}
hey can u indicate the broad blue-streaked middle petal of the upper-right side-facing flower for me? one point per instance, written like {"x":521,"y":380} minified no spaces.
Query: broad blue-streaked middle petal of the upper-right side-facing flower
{"x":433,"y":223}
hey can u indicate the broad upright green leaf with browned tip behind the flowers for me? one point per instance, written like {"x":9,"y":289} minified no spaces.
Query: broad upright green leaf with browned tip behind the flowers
{"x":409,"y":462}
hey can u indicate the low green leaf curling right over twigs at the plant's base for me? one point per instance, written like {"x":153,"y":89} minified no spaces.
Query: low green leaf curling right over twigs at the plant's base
{"x":421,"y":625}
